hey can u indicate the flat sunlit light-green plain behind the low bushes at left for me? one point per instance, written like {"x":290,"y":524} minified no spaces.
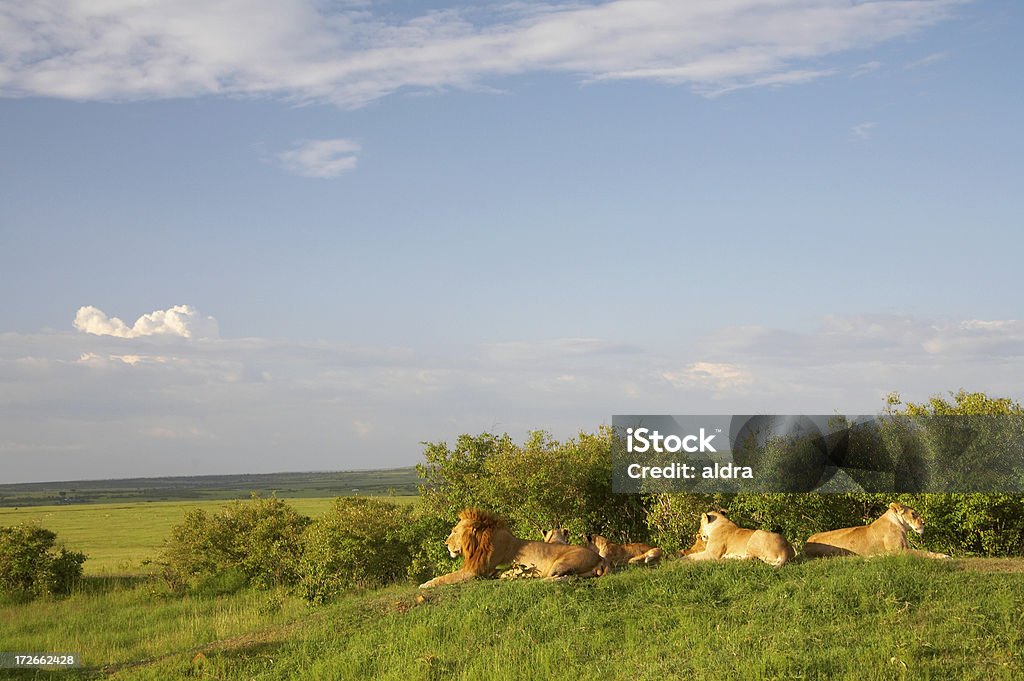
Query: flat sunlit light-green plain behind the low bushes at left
{"x":118,"y":538}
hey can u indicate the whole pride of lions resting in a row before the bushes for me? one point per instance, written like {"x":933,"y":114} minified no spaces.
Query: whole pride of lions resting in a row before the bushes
{"x":486,"y":545}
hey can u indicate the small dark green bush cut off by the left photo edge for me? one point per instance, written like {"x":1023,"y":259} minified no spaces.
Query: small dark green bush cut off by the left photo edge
{"x":31,"y":566}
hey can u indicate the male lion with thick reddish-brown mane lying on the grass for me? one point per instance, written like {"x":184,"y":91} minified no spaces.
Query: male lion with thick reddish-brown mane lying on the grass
{"x":485,"y":543}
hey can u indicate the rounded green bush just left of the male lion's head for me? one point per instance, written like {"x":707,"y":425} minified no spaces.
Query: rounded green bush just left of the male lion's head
{"x":359,"y":543}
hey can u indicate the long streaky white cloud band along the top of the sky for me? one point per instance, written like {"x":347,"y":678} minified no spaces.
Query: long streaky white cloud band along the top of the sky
{"x":351,"y":56}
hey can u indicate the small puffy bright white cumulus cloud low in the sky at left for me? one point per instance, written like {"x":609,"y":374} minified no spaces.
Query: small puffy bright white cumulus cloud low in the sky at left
{"x":181,"y":321}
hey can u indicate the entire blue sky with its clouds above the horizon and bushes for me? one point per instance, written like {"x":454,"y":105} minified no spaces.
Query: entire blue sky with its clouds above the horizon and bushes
{"x":409,"y":222}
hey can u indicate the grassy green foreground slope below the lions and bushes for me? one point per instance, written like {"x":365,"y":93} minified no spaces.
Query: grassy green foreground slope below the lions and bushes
{"x":891,"y":618}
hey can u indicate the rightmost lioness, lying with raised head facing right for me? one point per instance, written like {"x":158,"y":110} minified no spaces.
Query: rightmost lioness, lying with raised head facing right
{"x":887,"y":535}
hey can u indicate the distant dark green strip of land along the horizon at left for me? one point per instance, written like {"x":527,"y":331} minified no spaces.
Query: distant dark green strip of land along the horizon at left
{"x":292,"y":486}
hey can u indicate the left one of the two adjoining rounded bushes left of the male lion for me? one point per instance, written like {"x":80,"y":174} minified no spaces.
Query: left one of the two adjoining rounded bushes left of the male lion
{"x":262,"y":539}
